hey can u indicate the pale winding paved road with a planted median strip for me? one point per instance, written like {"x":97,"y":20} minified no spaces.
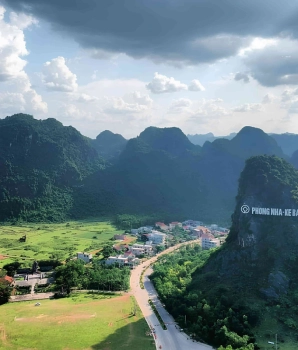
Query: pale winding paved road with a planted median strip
{"x":172,"y":338}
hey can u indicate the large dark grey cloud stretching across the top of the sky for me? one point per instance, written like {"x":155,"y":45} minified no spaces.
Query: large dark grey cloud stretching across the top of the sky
{"x":162,"y":31}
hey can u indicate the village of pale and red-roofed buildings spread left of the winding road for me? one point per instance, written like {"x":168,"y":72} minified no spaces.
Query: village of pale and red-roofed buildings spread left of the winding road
{"x":149,"y":241}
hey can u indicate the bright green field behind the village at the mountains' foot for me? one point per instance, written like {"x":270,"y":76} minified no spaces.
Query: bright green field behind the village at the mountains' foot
{"x":44,"y":240}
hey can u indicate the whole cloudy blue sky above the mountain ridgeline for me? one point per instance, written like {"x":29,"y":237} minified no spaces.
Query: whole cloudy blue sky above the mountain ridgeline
{"x":126,"y":66}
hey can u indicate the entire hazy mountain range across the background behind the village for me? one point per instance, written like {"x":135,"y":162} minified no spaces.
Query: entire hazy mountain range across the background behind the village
{"x":52,"y":172}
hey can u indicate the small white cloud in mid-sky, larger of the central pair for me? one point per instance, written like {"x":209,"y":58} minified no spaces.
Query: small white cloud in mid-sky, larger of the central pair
{"x":162,"y":84}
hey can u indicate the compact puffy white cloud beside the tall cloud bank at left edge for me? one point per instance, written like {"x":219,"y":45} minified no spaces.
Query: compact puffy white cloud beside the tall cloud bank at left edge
{"x":58,"y":77}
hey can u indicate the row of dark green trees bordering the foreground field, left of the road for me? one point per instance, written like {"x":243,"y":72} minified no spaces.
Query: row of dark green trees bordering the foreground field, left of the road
{"x":75,"y":274}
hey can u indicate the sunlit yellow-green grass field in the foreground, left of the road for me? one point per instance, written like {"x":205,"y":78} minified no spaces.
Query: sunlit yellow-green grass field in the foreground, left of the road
{"x":84,"y":322}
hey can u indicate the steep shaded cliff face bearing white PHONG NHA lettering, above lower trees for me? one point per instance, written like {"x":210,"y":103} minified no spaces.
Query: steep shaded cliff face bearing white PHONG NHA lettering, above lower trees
{"x":262,"y":248}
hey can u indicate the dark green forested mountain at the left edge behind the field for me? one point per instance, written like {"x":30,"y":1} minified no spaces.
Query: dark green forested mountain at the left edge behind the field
{"x":40,"y":160}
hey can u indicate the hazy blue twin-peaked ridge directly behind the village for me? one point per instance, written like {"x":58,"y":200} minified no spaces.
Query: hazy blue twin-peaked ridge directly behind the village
{"x":162,"y":172}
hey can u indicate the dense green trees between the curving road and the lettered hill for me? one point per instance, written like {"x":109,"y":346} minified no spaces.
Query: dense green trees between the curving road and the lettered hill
{"x":211,"y":320}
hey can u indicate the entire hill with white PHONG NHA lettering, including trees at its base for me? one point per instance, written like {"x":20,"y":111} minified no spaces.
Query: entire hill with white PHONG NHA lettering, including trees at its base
{"x":252,"y":278}
